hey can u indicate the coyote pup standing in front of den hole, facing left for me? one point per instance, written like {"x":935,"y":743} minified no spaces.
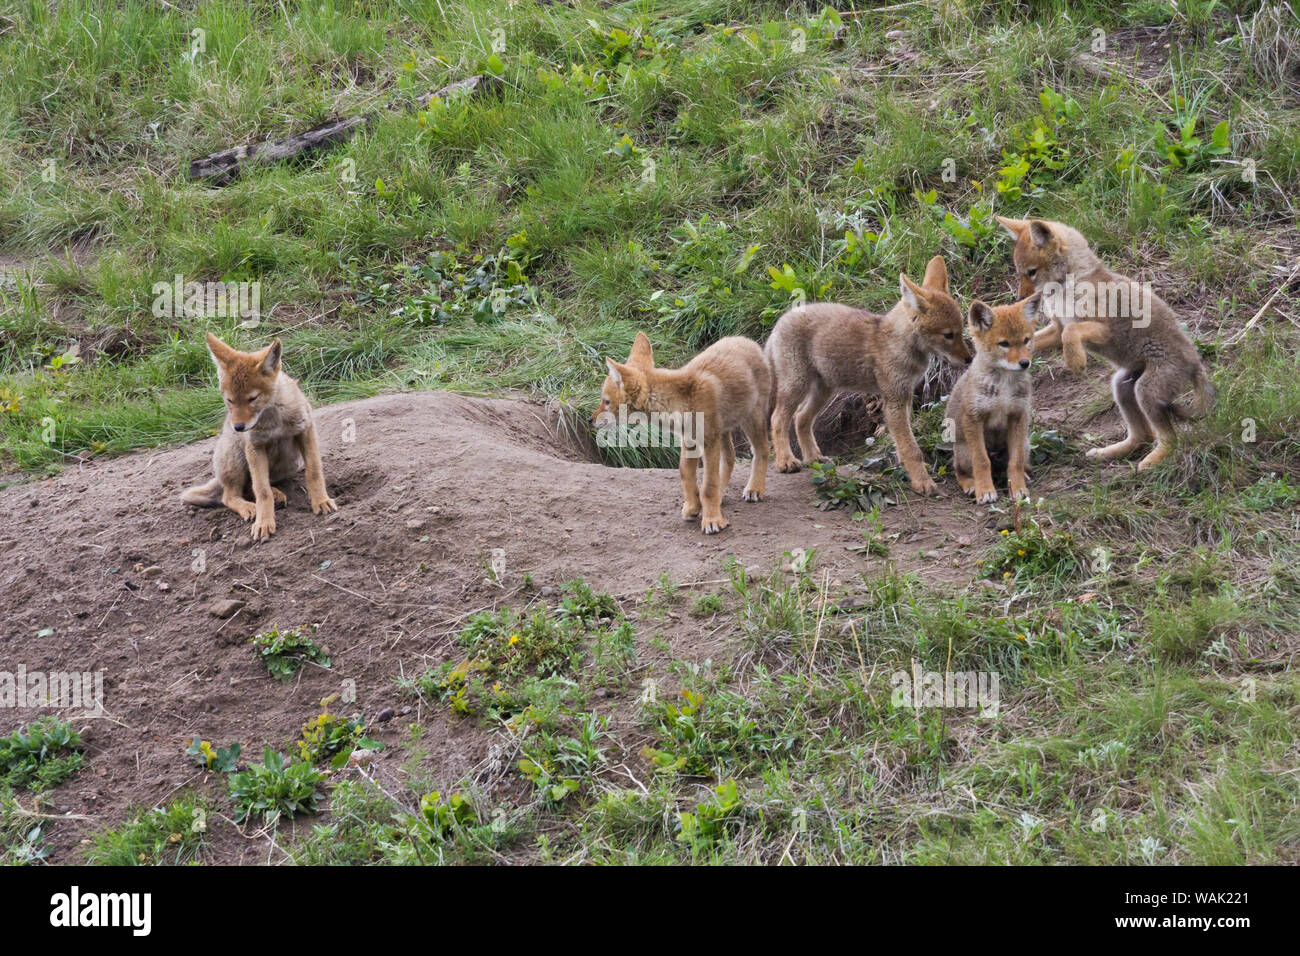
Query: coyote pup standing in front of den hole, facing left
{"x":720,"y":391}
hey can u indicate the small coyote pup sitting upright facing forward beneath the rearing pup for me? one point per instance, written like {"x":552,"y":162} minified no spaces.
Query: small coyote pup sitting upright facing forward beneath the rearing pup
{"x":991,"y":404}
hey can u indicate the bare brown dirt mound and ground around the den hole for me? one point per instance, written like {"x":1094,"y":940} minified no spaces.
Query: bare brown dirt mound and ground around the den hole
{"x":106,"y":570}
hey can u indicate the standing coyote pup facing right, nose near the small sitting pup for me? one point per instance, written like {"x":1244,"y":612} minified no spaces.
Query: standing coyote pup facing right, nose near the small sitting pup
{"x":821,"y":349}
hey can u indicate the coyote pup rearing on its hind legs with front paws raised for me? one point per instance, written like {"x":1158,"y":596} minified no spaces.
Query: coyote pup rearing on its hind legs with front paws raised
{"x":1119,"y":319}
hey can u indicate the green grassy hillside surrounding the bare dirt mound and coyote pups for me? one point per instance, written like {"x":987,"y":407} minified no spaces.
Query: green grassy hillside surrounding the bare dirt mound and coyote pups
{"x":687,"y":168}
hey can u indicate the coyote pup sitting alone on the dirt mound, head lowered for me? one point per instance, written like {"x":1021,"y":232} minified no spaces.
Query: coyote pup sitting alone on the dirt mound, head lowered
{"x":267,"y":438}
